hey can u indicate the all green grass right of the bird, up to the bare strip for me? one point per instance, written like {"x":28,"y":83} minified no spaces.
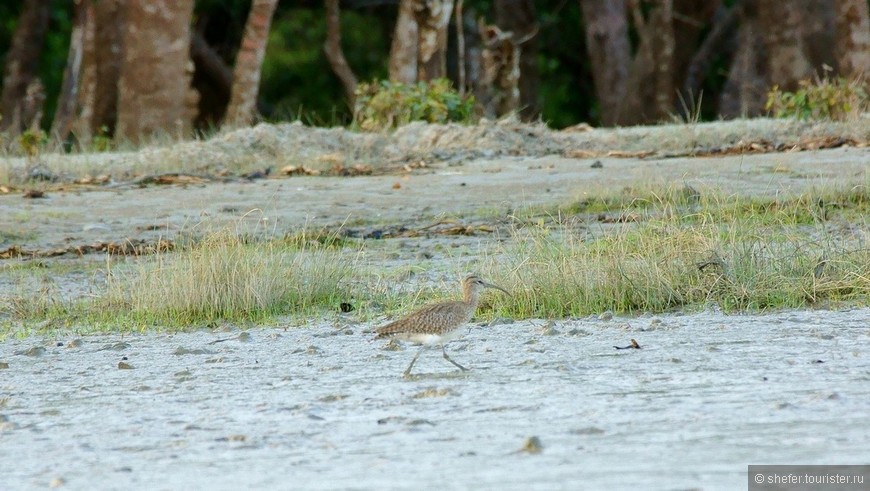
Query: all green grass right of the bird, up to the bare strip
{"x":738,"y":253}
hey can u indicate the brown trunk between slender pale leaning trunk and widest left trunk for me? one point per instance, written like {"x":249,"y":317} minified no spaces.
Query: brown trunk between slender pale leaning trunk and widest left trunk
{"x":100,"y":70}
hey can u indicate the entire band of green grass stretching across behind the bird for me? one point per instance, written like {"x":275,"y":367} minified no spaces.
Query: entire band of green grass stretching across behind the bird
{"x":684,"y":250}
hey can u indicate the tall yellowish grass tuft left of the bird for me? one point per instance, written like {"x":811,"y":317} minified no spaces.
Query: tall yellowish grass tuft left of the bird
{"x":227,"y":277}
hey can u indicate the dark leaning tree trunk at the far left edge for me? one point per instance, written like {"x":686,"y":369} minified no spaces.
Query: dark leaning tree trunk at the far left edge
{"x":22,"y":61}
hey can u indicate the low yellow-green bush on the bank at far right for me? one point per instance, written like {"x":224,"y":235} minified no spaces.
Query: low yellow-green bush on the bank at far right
{"x":823,"y":98}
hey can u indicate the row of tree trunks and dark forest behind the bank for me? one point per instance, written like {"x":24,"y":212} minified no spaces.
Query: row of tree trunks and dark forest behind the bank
{"x":84,"y":70}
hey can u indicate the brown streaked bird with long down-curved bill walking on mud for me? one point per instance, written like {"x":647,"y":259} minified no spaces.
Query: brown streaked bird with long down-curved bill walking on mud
{"x":439,"y":323}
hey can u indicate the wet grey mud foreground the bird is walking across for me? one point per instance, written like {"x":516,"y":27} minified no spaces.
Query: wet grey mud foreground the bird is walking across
{"x":326,"y":408}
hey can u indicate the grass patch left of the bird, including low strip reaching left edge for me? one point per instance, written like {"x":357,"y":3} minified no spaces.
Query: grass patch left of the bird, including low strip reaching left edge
{"x":221,"y":277}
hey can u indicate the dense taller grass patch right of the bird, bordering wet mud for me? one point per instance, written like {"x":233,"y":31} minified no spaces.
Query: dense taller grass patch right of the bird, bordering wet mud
{"x":660,"y":267}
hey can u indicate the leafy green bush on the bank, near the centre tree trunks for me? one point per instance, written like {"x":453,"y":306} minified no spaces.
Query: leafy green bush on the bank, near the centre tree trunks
{"x":385,"y":105}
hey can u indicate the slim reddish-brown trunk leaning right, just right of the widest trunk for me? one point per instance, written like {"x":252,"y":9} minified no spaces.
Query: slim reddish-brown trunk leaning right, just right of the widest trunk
{"x":249,"y":61}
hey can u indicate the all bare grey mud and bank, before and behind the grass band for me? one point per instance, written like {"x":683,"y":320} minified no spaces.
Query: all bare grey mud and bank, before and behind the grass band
{"x":548,"y":403}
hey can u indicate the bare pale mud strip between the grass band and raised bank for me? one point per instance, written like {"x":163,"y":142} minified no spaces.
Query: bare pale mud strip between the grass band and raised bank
{"x":78,"y":222}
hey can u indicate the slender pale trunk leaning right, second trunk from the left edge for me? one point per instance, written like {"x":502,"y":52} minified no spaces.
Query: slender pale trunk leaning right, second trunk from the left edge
{"x":66,"y":104}
